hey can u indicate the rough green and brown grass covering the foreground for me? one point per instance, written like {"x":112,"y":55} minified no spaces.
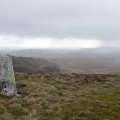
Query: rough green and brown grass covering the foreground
{"x":63,"y":97}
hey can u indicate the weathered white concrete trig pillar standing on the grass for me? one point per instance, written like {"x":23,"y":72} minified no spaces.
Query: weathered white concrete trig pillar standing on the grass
{"x":7,"y":78}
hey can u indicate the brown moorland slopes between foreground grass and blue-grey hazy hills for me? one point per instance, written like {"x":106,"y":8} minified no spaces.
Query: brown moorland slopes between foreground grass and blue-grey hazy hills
{"x":81,"y":66}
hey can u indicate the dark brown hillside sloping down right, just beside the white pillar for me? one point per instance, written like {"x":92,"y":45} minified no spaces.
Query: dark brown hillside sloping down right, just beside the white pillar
{"x":34,"y":65}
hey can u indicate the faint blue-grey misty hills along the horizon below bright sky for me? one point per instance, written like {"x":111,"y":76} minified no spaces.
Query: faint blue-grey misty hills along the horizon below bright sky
{"x":61,"y":53}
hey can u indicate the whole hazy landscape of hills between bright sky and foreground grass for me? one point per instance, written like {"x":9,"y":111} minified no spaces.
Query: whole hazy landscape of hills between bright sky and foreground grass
{"x":88,"y":61}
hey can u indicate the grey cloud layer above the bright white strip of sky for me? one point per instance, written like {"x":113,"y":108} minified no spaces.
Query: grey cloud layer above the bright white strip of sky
{"x":61,"y":18}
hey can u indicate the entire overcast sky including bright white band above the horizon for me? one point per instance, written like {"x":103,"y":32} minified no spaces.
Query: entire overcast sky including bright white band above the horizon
{"x":59,"y":23}
